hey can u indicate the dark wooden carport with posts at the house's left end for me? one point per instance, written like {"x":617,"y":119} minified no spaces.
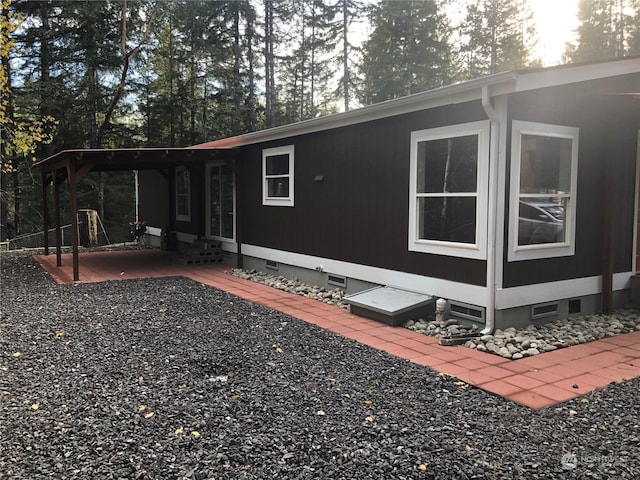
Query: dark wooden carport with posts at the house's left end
{"x":73,"y":165}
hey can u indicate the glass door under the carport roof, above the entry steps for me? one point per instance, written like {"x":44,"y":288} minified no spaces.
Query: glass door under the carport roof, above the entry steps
{"x":221,"y":202}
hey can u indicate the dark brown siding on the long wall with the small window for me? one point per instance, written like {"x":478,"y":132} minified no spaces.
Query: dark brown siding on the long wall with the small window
{"x":359,"y":212}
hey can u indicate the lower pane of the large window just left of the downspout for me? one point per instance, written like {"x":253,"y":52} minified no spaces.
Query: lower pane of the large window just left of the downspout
{"x":447,"y":219}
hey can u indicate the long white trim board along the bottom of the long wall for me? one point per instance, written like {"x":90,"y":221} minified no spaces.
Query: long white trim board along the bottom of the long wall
{"x":462,"y":292}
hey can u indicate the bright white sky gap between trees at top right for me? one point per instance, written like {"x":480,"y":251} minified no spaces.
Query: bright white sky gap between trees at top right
{"x":555,"y":24}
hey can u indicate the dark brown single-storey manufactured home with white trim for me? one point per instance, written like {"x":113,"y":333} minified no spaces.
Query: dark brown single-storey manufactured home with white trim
{"x":513,"y":197}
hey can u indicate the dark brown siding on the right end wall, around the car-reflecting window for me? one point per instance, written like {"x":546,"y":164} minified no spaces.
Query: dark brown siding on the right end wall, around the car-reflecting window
{"x":607,"y":156}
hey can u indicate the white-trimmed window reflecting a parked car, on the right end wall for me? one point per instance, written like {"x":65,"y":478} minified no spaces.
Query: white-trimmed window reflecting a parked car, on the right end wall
{"x":544,"y":172}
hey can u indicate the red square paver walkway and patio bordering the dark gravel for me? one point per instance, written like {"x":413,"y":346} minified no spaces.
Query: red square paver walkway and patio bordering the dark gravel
{"x":536,"y":382}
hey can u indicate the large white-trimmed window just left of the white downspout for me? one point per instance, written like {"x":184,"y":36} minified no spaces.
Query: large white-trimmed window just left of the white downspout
{"x":448,"y":190}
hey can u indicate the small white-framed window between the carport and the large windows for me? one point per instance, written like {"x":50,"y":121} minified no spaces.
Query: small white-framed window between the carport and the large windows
{"x":277,"y":175}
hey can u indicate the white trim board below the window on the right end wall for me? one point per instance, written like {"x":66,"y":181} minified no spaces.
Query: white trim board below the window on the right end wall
{"x":548,"y":292}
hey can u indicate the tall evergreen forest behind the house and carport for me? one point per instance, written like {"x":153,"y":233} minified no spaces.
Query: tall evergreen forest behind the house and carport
{"x":157,"y":73}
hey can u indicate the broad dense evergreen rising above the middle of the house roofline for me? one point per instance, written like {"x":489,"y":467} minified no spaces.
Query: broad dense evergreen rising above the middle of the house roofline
{"x":407,"y":52}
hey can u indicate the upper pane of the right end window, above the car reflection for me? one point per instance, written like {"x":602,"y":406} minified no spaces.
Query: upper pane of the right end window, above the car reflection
{"x":545,"y":164}
